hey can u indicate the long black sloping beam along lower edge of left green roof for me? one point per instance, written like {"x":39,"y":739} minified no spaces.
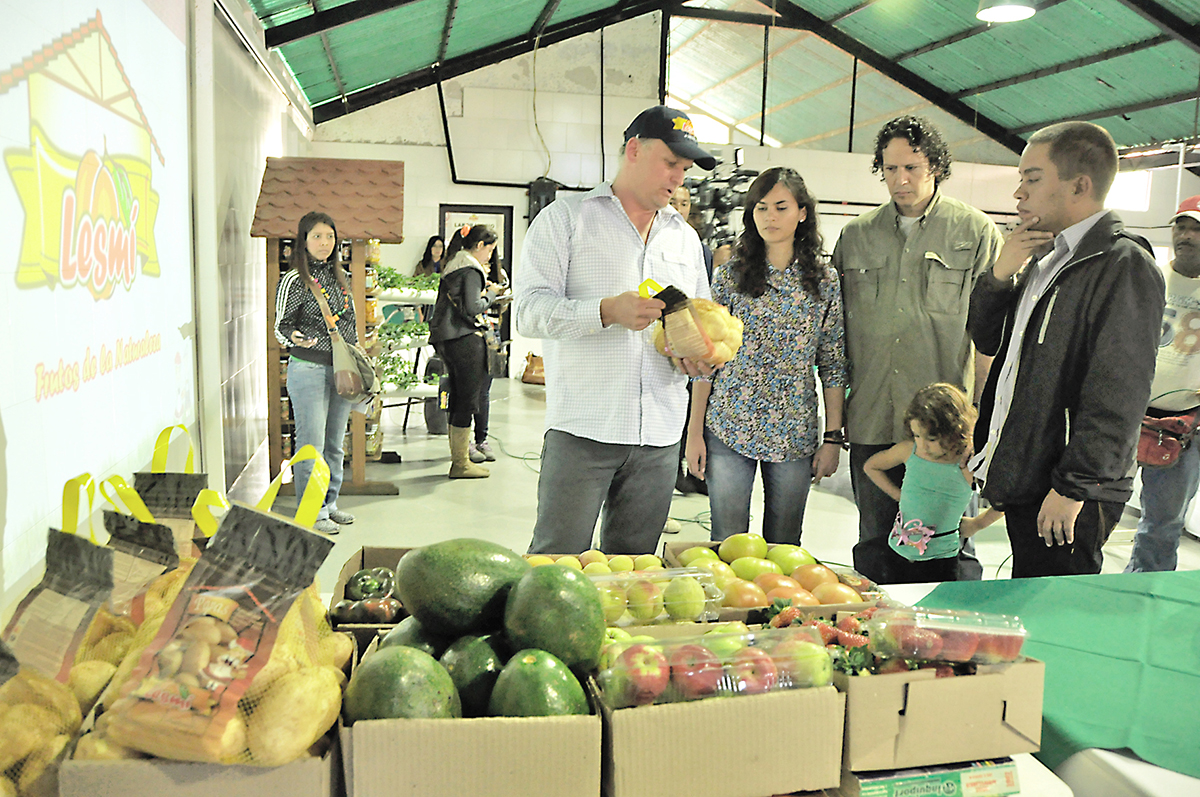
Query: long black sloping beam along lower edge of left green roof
{"x":489,"y":56}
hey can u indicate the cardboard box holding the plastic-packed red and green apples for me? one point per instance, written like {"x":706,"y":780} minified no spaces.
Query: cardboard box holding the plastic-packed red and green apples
{"x":725,"y":747}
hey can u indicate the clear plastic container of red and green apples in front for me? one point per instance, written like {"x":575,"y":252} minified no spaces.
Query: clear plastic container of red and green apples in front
{"x":644,"y":670}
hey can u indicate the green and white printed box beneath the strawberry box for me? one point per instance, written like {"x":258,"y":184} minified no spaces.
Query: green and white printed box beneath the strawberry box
{"x":975,"y":780}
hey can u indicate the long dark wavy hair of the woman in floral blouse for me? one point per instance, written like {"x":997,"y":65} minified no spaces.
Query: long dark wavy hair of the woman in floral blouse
{"x":751,"y":268}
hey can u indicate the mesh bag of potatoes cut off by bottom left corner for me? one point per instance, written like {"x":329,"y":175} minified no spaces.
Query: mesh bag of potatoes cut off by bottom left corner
{"x":39,"y":717}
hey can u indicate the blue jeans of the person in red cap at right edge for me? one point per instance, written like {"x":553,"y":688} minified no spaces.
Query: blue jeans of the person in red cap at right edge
{"x":1166,"y":495}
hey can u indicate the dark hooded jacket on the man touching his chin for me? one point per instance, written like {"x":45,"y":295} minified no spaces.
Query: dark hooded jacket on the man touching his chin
{"x":1088,"y":362}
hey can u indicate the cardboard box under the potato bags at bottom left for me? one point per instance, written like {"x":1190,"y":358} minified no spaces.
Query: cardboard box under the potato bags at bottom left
{"x":159,"y":778}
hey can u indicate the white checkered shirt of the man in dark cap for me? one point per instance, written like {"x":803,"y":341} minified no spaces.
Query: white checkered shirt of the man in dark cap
{"x":604,"y":385}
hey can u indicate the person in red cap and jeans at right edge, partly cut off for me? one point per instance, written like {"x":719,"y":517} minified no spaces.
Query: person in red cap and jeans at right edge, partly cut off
{"x":1168,"y":492}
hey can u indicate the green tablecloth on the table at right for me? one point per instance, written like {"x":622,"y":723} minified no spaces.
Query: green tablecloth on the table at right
{"x":1123,"y":657}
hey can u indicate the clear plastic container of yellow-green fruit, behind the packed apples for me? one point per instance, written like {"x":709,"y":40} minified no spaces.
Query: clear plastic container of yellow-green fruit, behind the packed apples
{"x":680,"y":595}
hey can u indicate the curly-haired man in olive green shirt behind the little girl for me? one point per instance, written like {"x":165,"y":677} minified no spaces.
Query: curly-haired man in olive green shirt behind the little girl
{"x":908,"y":271}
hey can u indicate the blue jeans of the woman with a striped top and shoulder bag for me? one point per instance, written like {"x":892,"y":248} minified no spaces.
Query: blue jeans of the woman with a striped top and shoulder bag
{"x":321,"y":417}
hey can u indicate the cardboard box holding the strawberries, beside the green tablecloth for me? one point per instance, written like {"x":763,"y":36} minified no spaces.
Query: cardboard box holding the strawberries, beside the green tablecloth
{"x":915,"y":720}
